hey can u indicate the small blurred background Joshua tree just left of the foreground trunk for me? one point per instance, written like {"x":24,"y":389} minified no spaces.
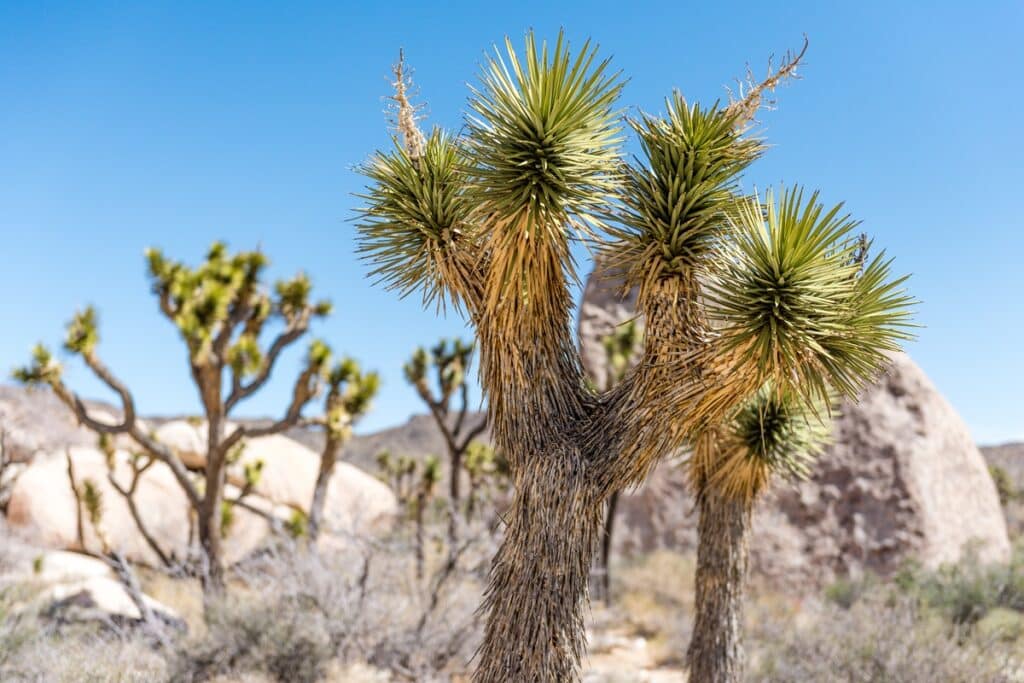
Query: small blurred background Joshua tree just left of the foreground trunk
{"x":448,"y":365}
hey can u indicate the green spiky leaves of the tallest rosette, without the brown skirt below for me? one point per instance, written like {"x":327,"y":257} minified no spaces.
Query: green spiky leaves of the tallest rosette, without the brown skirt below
{"x":543,"y":136}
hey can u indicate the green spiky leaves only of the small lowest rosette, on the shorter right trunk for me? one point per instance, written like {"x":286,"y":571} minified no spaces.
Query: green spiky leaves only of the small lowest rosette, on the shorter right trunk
{"x":781,"y":431}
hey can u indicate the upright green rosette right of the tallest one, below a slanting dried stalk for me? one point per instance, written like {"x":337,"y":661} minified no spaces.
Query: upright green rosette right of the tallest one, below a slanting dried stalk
{"x":675,"y":199}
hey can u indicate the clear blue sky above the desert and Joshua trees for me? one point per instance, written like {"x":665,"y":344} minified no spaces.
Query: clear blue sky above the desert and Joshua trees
{"x":124,"y":125}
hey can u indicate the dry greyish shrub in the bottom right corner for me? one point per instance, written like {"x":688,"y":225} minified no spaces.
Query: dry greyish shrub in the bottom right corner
{"x":876,"y":642}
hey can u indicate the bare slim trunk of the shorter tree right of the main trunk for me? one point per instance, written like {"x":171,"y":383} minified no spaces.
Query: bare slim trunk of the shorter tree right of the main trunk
{"x":716,"y":652}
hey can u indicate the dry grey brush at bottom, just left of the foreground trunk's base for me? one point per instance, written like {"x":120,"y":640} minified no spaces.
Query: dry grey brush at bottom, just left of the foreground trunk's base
{"x":293,"y":616}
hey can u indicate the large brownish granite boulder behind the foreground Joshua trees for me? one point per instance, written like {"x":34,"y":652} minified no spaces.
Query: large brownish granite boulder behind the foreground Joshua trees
{"x":904,"y":480}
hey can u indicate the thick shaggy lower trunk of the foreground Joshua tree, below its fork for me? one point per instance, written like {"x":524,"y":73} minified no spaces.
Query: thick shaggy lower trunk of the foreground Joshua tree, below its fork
{"x":538,"y":593}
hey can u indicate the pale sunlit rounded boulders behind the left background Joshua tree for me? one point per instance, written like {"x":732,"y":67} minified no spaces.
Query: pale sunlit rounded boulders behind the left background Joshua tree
{"x":42,"y":502}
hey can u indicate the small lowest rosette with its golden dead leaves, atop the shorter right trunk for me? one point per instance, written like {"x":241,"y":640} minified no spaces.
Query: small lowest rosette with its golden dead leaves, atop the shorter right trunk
{"x":774,"y":433}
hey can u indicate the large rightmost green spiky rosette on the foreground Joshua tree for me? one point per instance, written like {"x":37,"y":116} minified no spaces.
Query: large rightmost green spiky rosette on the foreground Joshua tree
{"x":792,"y":300}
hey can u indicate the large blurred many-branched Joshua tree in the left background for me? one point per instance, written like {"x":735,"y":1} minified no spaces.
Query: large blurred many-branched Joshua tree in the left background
{"x":222,"y":310}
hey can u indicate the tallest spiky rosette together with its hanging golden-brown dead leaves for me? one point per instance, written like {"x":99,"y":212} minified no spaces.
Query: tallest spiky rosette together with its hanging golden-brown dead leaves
{"x":543,"y":146}
